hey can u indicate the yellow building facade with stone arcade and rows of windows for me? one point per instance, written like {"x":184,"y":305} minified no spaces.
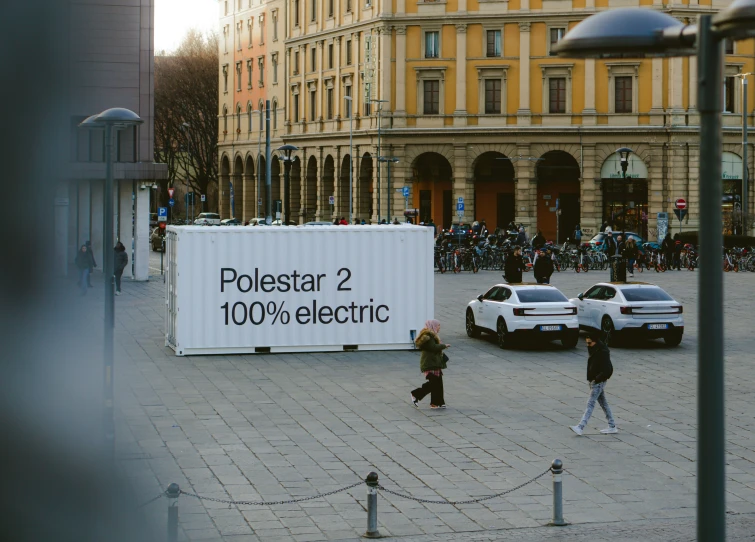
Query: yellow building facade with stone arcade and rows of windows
{"x":467,"y":97}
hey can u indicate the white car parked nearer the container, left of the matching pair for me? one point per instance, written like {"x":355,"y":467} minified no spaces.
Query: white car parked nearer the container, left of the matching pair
{"x":539,"y":311}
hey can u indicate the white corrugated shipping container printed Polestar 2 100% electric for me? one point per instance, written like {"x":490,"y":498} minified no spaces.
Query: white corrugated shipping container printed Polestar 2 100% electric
{"x":297,"y":289}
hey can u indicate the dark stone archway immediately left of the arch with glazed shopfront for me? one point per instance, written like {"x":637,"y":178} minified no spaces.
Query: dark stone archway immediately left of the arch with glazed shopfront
{"x":557,"y":174}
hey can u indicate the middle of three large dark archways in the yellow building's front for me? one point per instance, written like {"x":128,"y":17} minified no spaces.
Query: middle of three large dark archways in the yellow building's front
{"x":494,"y":188}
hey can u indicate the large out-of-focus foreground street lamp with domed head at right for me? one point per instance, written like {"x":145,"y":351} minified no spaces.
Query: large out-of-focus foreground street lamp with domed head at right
{"x":637,"y":32}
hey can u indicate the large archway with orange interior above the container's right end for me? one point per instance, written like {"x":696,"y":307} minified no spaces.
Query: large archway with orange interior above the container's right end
{"x":433,"y":189}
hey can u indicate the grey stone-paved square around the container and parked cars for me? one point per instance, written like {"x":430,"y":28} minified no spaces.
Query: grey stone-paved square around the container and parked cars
{"x":278,"y":426}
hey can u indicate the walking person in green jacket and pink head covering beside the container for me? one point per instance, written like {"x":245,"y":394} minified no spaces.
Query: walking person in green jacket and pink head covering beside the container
{"x":432,"y":361}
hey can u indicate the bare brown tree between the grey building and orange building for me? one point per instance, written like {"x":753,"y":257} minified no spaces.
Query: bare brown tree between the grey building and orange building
{"x":186,"y":108}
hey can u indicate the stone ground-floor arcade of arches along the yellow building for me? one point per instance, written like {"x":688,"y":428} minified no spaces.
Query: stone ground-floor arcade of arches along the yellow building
{"x":545,"y":181}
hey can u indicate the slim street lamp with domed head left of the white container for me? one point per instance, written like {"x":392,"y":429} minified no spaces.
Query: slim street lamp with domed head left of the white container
{"x":111,"y":120}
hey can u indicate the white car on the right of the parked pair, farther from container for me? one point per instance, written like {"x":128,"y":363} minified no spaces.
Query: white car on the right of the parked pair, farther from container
{"x":633,"y":308}
